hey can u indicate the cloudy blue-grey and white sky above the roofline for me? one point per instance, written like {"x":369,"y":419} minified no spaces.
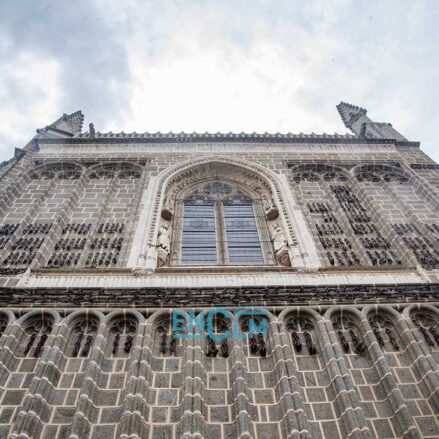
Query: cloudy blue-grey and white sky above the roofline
{"x":220,"y":65}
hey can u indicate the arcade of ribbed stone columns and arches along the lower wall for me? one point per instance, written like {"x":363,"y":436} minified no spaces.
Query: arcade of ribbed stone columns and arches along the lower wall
{"x":189,"y":421}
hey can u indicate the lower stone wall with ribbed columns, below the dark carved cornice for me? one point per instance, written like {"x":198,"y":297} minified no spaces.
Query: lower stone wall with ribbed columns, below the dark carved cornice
{"x":338,"y":371}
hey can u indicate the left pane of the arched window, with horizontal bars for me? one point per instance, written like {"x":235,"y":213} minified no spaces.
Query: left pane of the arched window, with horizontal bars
{"x":199,"y":237}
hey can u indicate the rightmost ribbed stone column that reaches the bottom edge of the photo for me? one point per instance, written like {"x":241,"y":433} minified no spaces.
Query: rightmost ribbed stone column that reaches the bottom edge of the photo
{"x":394,"y":395}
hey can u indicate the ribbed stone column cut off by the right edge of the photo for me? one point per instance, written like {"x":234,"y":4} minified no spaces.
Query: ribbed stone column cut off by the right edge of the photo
{"x":423,"y":362}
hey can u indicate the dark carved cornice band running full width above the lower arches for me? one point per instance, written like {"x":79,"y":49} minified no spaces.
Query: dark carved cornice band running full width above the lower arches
{"x":249,"y":296}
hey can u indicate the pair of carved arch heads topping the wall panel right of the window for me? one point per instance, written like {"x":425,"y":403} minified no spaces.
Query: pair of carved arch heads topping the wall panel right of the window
{"x":367,"y":172}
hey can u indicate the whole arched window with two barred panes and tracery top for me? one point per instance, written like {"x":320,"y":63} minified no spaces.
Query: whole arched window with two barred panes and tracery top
{"x":220,"y":224}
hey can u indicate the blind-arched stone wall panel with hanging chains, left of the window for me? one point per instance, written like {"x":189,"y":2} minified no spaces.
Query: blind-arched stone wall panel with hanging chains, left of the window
{"x":53,"y":230}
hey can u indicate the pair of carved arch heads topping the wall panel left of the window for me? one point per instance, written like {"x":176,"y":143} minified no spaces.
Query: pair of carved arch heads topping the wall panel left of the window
{"x":72,"y":171}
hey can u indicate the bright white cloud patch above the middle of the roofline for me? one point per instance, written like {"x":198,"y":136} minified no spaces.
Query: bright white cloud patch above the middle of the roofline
{"x":223,"y":72}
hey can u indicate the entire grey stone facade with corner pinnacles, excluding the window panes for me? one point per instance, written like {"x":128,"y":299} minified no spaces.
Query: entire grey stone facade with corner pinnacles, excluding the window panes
{"x":90,"y":281}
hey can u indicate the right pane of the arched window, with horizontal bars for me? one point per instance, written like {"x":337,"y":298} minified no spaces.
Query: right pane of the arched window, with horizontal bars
{"x":243,"y":243}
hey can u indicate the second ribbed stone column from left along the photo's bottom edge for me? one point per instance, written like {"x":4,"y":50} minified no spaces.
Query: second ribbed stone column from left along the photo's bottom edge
{"x":86,"y":412}
